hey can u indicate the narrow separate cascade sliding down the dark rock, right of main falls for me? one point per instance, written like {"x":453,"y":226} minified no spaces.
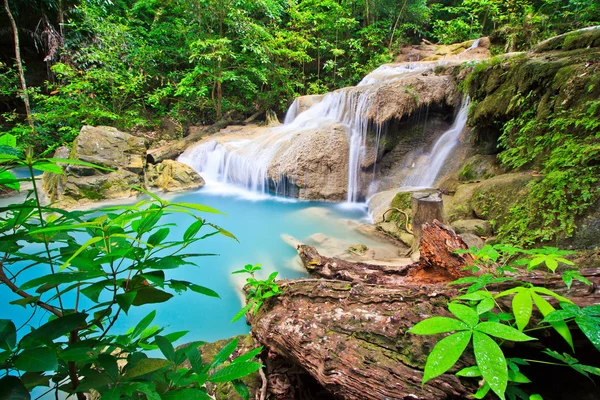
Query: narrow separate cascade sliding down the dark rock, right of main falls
{"x":428,"y":167}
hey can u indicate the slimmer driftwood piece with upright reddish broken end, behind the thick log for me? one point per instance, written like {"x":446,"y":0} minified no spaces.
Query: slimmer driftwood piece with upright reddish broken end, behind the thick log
{"x":438,"y":262}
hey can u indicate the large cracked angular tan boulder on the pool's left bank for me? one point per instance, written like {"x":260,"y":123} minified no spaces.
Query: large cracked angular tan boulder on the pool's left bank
{"x":108,"y":147}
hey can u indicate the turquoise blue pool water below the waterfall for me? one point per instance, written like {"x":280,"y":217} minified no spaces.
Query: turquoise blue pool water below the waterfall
{"x":258,"y":221}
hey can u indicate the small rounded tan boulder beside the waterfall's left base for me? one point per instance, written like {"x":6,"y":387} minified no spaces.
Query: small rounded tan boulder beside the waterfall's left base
{"x":173,"y":176}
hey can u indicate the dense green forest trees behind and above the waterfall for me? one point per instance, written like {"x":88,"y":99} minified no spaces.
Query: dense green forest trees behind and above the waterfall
{"x":129,"y":63}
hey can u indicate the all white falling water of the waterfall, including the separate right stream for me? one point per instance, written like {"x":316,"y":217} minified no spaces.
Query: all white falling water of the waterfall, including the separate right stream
{"x":246,"y":162}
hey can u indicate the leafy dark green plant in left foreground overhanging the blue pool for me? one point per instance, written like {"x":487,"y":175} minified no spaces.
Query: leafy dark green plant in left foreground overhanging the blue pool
{"x":77,"y":272}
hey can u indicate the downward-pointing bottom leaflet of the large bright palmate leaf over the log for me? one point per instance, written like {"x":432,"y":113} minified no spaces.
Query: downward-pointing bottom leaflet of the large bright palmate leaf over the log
{"x":491,"y":362}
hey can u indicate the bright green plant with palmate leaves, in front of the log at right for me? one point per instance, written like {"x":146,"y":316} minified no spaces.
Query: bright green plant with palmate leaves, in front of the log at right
{"x":481,"y":318}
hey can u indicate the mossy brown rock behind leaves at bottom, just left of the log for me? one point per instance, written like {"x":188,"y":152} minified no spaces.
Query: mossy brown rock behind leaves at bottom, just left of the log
{"x":225,"y":391}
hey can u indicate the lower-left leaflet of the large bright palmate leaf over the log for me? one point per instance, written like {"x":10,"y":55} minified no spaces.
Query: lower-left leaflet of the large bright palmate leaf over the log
{"x":445,"y":354}
